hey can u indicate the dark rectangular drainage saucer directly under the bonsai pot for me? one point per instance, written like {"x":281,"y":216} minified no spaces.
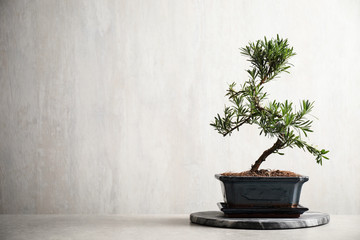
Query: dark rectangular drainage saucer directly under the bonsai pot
{"x":268,"y":212}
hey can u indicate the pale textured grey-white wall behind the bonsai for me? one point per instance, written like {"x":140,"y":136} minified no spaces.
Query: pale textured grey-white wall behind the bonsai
{"x":105,"y":105}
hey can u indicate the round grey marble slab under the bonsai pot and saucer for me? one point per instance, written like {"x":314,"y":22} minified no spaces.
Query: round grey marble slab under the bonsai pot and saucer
{"x":217,"y":219}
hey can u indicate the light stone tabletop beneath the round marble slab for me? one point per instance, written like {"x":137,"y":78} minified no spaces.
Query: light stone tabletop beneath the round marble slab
{"x":66,"y":227}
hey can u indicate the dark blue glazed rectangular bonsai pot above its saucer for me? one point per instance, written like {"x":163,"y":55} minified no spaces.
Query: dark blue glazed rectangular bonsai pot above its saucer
{"x":240,"y":192}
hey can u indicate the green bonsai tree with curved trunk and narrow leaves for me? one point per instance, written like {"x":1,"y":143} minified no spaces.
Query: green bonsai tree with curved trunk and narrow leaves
{"x":275,"y":119}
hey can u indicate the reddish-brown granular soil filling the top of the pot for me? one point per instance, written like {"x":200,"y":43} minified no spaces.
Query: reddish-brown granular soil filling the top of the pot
{"x":263,"y":173}
